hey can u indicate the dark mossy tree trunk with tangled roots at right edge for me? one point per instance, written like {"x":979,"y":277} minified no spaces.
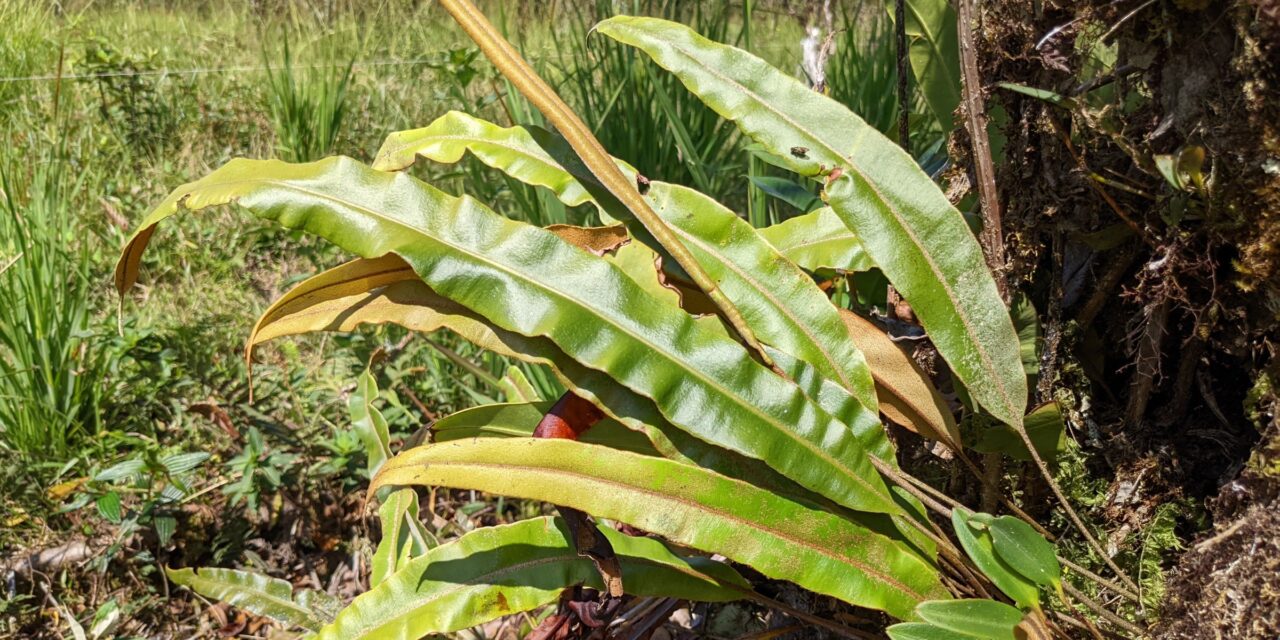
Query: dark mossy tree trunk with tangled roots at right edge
{"x":1159,"y":327}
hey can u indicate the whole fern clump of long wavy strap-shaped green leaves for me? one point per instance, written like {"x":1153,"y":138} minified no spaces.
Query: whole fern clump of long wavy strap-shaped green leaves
{"x":717,"y":397}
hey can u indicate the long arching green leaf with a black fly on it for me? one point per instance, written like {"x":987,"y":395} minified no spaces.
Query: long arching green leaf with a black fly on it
{"x":904,"y":222}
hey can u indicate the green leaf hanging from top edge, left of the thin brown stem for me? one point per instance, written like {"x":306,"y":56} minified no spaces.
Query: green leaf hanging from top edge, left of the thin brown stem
{"x":934,"y":48}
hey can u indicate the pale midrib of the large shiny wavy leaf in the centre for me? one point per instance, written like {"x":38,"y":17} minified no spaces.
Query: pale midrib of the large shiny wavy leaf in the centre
{"x":779,"y":428}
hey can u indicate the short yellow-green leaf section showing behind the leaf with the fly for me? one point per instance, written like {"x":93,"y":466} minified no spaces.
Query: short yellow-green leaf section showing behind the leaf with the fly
{"x":819,"y":241}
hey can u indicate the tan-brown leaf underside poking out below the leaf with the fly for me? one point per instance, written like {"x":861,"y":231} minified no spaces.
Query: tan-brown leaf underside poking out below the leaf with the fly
{"x":906,"y":394}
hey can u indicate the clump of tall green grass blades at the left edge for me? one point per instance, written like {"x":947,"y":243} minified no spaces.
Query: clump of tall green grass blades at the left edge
{"x":51,"y":371}
